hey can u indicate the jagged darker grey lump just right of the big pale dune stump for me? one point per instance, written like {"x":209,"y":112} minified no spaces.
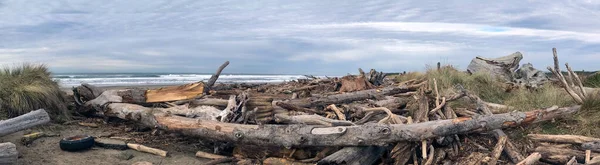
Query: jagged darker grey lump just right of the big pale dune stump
{"x":529,"y":77}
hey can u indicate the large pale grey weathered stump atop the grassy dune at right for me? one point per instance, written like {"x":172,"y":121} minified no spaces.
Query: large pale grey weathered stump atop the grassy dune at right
{"x":502,"y":67}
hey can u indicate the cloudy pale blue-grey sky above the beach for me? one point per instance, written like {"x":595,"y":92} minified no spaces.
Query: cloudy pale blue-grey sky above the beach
{"x":293,"y":37}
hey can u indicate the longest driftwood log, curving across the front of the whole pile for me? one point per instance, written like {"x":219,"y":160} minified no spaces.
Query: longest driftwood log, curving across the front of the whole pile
{"x":306,"y":135}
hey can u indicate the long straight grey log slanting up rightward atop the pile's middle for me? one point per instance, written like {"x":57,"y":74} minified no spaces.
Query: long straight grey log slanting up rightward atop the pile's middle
{"x":354,"y":96}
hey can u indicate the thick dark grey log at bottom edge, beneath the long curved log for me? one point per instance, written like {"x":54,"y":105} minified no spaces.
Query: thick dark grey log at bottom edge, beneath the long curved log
{"x":354,"y":156}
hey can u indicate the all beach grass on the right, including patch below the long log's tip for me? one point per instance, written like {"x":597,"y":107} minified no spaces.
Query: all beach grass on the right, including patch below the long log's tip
{"x":491,"y":89}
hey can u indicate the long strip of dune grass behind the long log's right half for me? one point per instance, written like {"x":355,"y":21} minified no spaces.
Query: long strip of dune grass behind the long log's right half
{"x":492,"y":89}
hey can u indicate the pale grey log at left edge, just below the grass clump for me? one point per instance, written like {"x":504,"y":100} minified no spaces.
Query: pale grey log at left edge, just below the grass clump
{"x":25,"y":121}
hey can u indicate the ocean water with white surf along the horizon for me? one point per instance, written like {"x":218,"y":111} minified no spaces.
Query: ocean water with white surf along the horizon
{"x":134,"y":79}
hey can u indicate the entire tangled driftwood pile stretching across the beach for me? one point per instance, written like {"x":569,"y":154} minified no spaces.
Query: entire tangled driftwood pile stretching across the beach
{"x":356,"y":119}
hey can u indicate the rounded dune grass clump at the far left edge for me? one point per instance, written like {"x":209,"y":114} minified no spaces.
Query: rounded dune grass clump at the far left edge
{"x":30,"y":87}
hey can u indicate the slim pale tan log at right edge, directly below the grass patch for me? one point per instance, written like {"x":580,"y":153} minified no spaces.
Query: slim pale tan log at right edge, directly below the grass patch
{"x":572,"y":139}
